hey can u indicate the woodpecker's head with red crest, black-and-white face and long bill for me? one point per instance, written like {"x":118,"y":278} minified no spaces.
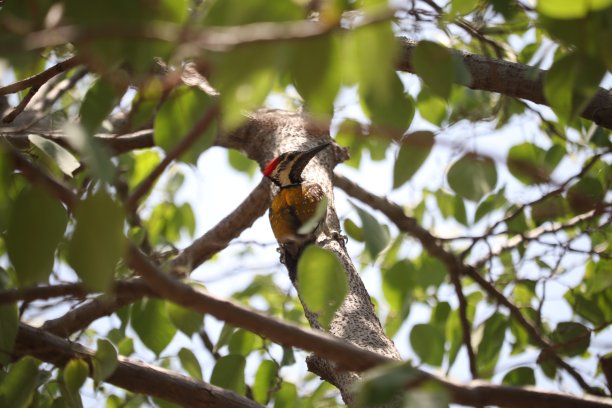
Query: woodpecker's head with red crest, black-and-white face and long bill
{"x":286,"y":169}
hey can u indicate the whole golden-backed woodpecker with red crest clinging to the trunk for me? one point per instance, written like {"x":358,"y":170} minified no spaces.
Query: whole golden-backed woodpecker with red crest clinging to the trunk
{"x":295,"y":203}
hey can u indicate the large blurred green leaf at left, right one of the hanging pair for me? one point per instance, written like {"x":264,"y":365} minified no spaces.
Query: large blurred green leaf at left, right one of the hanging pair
{"x":98,"y":242}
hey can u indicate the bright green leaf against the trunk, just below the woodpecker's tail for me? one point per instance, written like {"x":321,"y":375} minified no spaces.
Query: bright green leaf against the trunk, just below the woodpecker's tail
{"x":322,"y":282}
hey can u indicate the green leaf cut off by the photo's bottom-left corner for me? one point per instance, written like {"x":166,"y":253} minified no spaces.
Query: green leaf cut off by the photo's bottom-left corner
{"x":18,"y":386}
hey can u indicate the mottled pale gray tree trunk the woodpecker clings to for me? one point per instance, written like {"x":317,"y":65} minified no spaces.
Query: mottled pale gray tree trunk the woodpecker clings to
{"x":269,"y":133}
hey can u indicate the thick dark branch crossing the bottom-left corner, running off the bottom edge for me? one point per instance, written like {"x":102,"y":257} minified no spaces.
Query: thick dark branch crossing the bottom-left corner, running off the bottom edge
{"x":131,"y":375}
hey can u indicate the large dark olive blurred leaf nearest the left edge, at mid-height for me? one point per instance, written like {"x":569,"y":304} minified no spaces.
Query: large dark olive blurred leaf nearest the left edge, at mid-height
{"x":36,"y":226}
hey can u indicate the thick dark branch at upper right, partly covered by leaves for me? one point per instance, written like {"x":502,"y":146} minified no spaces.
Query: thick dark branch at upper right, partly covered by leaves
{"x":515,"y":80}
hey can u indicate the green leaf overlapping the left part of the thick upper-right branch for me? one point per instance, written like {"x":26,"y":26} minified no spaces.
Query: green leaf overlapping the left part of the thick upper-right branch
{"x":434,"y":64}
